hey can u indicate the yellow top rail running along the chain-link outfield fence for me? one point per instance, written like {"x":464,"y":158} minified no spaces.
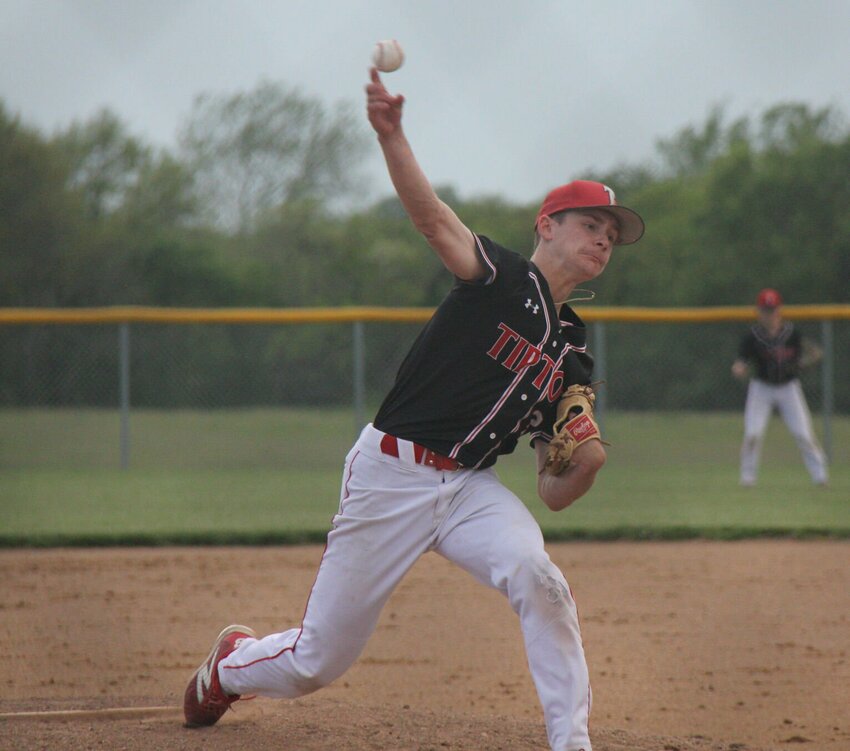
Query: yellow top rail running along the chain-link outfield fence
{"x":141,"y":314}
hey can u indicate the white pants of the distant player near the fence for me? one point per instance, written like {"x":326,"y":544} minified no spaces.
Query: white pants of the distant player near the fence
{"x":789,"y":401}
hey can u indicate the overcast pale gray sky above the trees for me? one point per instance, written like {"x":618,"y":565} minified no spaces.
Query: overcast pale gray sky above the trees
{"x":503,"y":97}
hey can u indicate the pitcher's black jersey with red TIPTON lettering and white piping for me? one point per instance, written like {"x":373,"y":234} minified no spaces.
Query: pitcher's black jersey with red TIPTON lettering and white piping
{"x":489,"y":366}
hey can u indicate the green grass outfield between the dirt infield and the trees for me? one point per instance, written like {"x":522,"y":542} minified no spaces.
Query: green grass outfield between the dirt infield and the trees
{"x":272,"y":476}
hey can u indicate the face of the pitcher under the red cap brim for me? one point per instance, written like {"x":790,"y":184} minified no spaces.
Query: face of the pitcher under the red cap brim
{"x":587,"y":239}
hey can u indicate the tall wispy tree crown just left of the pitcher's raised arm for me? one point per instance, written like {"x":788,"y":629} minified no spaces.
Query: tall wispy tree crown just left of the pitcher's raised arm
{"x":253,"y":151}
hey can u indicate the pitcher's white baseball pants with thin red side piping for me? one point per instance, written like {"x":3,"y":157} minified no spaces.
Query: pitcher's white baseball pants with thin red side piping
{"x":392,"y":511}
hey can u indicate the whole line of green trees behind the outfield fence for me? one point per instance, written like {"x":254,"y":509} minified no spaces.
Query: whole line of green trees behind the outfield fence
{"x":260,"y":204}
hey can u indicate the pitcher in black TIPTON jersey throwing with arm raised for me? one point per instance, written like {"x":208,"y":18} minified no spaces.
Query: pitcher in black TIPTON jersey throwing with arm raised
{"x":489,"y":367}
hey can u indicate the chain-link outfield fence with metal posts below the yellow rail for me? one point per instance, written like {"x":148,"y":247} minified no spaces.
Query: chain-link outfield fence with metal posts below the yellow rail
{"x":107,"y":393}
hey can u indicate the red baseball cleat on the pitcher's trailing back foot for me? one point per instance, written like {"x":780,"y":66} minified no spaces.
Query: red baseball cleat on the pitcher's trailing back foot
{"x":205,"y":701}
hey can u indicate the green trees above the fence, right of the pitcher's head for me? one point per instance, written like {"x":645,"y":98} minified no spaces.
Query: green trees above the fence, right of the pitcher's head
{"x":739,"y":207}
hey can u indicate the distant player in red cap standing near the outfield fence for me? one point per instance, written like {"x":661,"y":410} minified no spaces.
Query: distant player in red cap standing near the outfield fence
{"x":776,"y":352}
